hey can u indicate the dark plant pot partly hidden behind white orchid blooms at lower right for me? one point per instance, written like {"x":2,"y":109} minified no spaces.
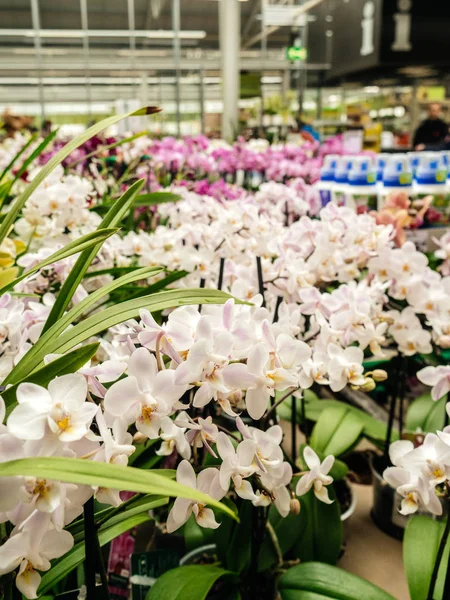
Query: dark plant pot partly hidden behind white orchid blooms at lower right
{"x":387,"y":501}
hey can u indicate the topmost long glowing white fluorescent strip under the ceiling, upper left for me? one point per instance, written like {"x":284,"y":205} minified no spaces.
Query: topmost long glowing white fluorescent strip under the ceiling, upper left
{"x":162,"y":34}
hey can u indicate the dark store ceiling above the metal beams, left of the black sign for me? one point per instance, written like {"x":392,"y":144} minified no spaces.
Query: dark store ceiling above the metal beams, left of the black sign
{"x":199,"y":15}
